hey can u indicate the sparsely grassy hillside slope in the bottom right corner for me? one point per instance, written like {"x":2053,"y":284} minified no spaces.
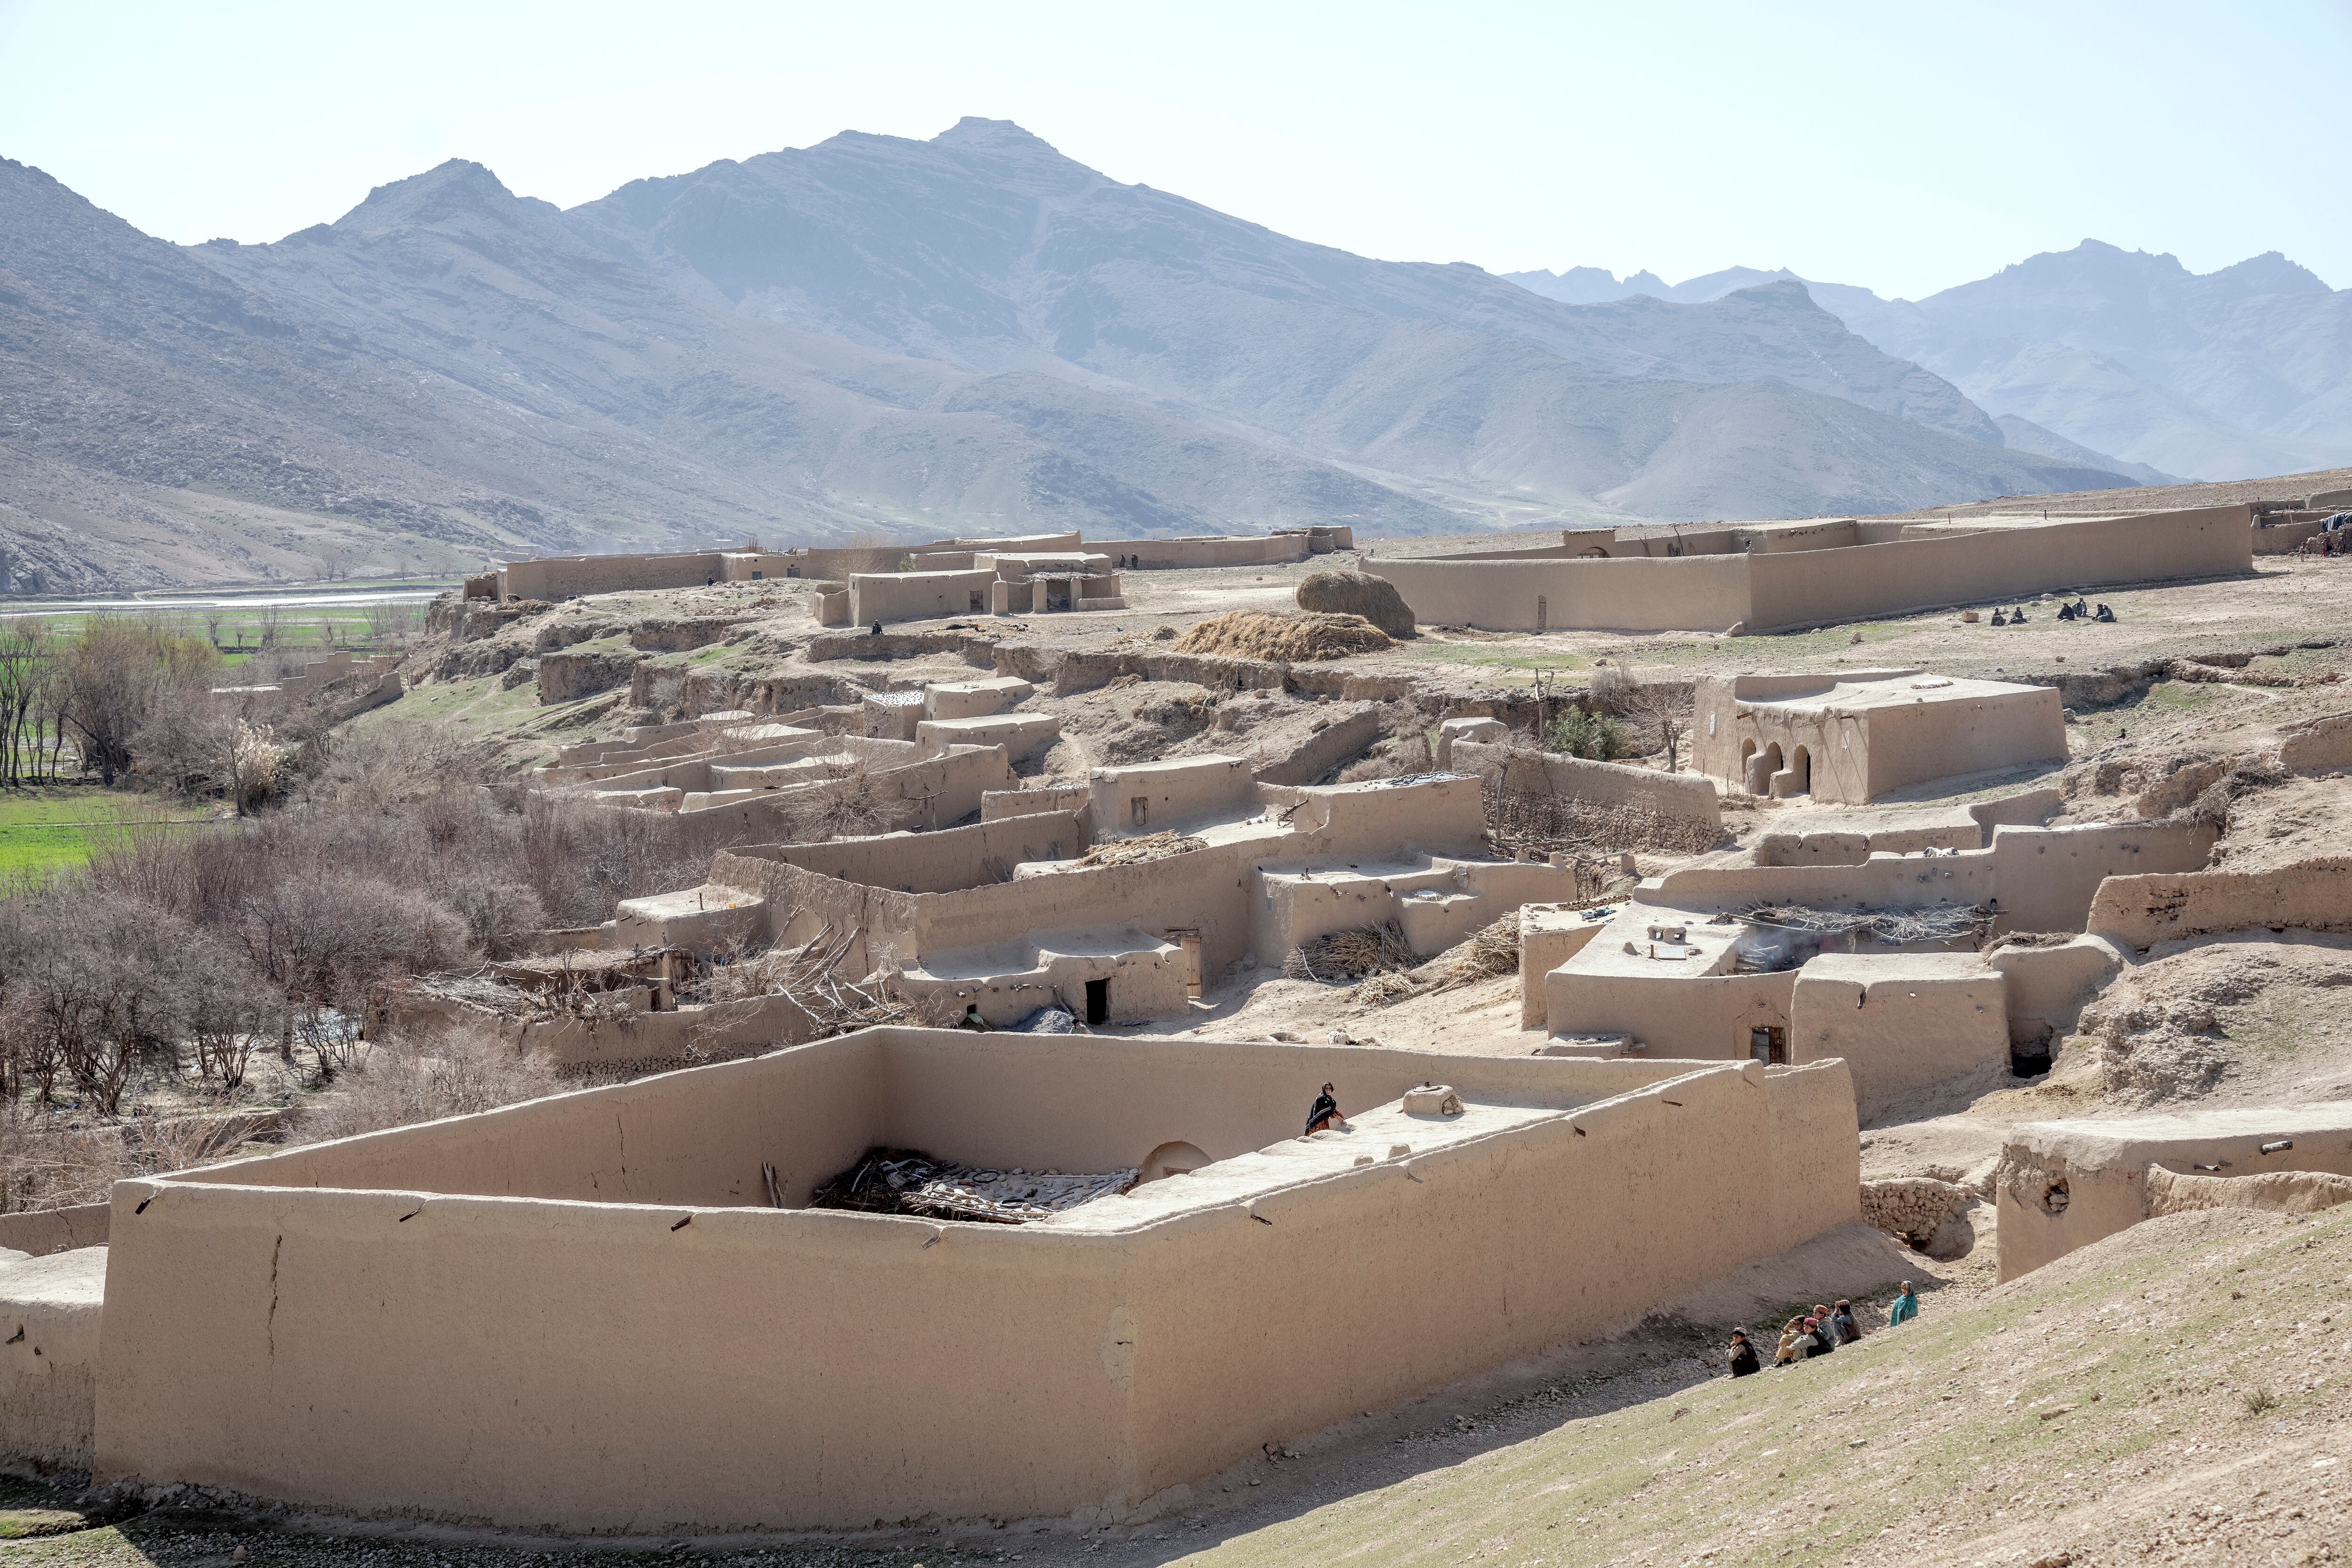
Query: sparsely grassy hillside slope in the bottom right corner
{"x":2087,"y":1409}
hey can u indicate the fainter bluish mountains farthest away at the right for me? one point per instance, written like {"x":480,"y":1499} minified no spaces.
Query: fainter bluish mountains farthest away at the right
{"x":2104,"y":351}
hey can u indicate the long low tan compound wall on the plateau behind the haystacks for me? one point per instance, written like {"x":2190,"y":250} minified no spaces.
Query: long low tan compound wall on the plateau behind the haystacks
{"x":1815,"y":587}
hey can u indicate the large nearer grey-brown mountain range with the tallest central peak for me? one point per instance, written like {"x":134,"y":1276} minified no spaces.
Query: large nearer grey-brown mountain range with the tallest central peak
{"x":890,"y":337}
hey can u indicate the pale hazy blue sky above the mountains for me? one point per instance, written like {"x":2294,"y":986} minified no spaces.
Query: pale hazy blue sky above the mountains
{"x":1899,"y":147}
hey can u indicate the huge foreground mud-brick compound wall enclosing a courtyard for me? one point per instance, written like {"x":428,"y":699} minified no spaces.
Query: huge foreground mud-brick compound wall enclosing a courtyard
{"x":582,"y":1315}
